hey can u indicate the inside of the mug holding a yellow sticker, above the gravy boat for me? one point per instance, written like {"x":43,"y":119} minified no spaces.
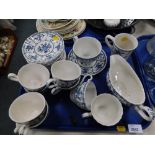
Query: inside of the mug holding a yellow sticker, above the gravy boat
{"x":126,"y":42}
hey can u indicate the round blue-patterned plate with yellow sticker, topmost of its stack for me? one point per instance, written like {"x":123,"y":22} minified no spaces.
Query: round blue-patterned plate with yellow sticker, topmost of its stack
{"x":43,"y":47}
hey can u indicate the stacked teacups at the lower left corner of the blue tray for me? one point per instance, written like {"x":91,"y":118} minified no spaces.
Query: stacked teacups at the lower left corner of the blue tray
{"x":28,"y":110}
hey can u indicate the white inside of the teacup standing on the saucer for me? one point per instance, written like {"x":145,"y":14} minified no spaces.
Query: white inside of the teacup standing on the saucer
{"x":87,"y":47}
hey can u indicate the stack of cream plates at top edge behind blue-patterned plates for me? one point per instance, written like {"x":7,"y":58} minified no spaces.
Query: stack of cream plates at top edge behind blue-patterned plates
{"x":67,"y":28}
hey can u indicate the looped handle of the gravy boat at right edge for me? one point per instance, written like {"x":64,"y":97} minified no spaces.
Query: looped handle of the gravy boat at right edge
{"x":145,"y":112}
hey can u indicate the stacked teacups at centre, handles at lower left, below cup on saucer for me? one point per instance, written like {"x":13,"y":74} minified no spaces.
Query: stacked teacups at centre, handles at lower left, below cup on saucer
{"x":66,"y":75}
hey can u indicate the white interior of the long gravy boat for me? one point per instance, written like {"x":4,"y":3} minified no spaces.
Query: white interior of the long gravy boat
{"x":125,"y":81}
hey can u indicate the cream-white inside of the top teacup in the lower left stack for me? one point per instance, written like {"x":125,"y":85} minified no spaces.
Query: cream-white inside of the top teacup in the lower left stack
{"x":27,"y":107}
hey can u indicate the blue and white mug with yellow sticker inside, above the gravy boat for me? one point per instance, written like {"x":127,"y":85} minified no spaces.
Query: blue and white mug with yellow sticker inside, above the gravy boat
{"x":123,"y":44}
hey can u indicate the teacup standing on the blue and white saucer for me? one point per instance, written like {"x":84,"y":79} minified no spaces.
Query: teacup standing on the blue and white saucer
{"x":86,"y":49}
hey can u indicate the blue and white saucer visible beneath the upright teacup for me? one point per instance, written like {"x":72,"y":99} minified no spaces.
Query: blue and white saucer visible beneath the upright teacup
{"x":100,"y":64}
